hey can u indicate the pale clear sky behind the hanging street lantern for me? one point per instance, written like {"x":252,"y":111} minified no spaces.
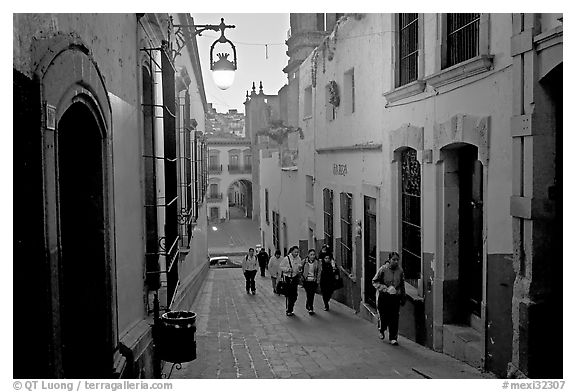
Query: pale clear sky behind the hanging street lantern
{"x":252,"y":32}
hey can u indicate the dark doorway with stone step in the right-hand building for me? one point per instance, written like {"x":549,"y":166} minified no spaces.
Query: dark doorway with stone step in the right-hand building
{"x":463,"y":233}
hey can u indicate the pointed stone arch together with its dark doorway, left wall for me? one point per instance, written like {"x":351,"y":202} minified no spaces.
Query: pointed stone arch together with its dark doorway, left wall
{"x":76,"y":106}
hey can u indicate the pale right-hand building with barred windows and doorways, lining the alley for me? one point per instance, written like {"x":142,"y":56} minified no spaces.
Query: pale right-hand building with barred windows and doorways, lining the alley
{"x":445,"y":148}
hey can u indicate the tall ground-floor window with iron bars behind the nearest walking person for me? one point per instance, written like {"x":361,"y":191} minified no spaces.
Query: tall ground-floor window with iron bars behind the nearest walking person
{"x":411,"y":226}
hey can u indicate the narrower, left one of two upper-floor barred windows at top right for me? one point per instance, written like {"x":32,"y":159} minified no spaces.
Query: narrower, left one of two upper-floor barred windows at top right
{"x":408,"y":48}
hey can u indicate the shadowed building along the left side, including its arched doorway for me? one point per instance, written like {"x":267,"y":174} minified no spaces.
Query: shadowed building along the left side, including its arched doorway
{"x":109,"y":181}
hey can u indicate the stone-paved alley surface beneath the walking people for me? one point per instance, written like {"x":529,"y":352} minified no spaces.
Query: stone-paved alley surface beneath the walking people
{"x":249,"y":336}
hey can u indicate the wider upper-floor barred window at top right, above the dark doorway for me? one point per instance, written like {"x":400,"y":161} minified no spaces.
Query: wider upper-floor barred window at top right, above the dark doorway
{"x":462,"y":37}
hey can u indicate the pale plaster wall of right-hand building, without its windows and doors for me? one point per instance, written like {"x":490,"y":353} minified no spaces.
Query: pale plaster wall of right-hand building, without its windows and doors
{"x":475,"y":109}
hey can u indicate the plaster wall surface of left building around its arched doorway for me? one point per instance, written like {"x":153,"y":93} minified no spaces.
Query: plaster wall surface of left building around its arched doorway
{"x":102,"y":51}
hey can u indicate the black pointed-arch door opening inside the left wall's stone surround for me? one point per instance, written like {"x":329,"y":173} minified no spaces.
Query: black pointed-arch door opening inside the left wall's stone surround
{"x":84,"y":292}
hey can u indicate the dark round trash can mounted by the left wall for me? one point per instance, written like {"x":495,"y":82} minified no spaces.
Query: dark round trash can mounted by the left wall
{"x":175,"y":337}
